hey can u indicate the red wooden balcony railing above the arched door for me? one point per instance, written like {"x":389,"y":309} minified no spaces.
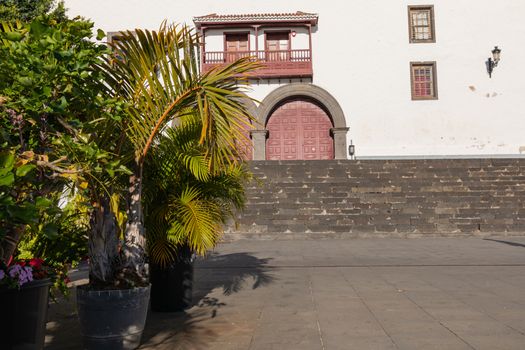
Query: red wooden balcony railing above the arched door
{"x":276,"y":64}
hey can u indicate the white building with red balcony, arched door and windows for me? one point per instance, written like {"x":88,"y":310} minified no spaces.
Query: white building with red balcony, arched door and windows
{"x":397,"y":78}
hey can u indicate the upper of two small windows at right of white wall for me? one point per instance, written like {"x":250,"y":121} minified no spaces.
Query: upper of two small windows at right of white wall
{"x":421,"y":24}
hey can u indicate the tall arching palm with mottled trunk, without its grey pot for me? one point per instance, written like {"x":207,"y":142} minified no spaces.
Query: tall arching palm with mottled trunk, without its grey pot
{"x":157,"y":73}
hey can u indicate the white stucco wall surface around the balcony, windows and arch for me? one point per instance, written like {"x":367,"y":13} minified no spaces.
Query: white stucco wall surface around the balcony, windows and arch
{"x":361,"y":55}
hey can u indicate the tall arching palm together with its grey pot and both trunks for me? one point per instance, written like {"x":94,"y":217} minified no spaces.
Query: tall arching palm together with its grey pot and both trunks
{"x":156,"y":76}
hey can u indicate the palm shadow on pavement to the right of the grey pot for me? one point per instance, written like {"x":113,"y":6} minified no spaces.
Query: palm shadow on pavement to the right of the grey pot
{"x":229,"y":273}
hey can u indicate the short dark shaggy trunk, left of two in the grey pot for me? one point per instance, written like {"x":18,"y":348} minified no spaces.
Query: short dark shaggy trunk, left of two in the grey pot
{"x":103,"y":243}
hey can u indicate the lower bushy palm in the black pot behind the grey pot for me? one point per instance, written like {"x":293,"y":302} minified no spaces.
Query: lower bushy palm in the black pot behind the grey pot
{"x":187,"y":201}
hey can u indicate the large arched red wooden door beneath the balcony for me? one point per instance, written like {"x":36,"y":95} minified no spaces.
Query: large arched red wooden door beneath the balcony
{"x":299,"y":129}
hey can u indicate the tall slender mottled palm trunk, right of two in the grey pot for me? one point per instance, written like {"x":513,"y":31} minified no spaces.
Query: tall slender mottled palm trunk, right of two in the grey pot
{"x":135,"y":248}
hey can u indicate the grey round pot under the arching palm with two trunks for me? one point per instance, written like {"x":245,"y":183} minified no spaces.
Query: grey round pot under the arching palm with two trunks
{"x":112,"y":319}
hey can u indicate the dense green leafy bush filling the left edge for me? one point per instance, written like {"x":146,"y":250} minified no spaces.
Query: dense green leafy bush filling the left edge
{"x":53,"y":106}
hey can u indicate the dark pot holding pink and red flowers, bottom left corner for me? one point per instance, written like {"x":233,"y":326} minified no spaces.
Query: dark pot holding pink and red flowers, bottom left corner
{"x":24,"y":315}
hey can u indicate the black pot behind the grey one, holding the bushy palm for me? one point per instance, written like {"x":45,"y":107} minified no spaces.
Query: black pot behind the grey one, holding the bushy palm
{"x":172,"y":286}
